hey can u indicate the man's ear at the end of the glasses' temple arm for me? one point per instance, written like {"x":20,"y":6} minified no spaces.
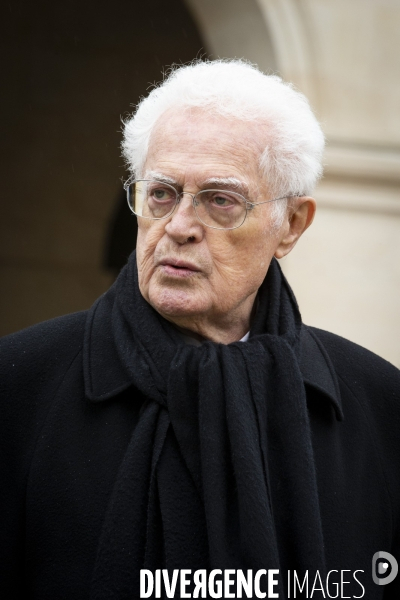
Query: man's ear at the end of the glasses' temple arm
{"x":299,"y":216}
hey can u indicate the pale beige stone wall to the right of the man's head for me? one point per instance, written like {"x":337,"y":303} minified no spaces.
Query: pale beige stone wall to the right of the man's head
{"x":346,"y":60}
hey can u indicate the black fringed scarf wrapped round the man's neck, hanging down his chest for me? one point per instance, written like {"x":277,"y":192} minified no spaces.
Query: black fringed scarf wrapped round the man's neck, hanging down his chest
{"x":219,"y":472}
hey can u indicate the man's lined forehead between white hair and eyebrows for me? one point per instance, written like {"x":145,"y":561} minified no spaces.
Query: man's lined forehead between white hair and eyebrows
{"x":198,"y":145}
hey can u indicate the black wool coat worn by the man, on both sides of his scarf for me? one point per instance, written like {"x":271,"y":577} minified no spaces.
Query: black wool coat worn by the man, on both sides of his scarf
{"x":67,"y":415}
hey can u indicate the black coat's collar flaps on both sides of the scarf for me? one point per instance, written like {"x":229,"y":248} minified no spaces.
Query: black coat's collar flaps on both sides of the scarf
{"x":105,"y":376}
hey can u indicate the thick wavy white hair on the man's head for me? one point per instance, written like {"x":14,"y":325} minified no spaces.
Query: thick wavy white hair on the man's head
{"x":291,"y":160}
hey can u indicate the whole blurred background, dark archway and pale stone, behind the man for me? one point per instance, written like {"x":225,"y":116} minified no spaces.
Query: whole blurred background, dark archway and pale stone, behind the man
{"x":71,"y":70}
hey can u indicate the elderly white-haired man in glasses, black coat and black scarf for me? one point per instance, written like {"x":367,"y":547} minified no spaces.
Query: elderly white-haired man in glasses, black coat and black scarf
{"x":188,"y":436}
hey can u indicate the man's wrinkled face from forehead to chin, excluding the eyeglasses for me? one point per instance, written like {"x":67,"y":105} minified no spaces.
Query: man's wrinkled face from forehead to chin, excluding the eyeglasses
{"x":192,"y":274}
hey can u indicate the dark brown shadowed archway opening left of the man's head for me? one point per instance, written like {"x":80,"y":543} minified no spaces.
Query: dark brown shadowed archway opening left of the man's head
{"x":75,"y":69}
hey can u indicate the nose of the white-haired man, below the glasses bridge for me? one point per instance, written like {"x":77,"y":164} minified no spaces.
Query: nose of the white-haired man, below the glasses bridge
{"x":184,"y":225}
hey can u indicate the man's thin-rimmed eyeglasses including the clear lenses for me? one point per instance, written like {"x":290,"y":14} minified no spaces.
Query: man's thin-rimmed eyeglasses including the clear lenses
{"x":218,"y":209}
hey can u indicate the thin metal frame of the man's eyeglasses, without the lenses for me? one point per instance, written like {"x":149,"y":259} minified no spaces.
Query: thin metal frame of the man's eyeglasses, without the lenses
{"x":248,"y":205}
